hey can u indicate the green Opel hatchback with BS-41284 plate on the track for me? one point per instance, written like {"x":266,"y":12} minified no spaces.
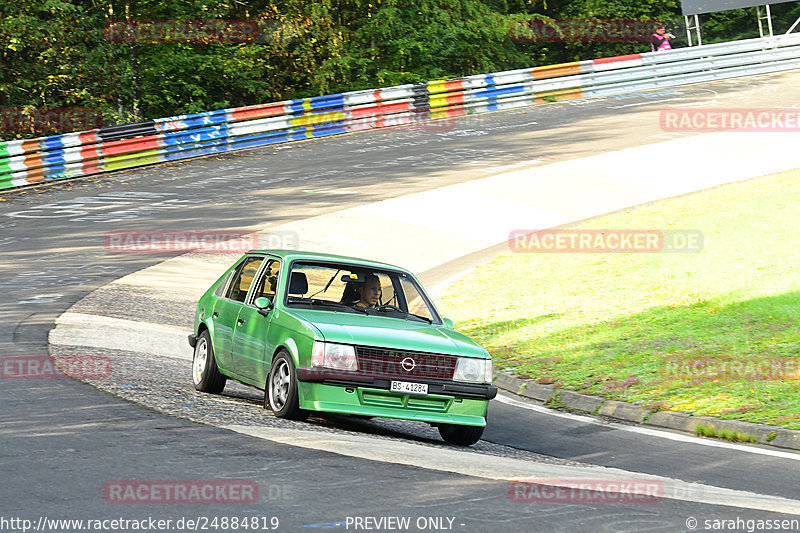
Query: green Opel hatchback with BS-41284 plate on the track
{"x":320,"y":332}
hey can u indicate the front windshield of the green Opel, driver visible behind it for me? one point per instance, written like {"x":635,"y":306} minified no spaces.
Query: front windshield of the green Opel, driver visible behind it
{"x":350,"y":288}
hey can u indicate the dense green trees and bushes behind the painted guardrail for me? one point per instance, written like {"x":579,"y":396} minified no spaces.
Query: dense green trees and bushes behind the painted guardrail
{"x":61,"y":54}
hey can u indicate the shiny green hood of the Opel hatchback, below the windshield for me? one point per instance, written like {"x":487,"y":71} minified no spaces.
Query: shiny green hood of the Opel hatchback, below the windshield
{"x":394,"y":333}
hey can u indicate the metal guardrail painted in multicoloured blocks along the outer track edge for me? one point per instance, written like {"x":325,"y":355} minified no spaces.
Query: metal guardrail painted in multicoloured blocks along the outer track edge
{"x":31,"y":161}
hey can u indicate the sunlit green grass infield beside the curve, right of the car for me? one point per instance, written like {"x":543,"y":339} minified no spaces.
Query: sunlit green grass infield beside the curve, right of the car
{"x":711,"y":333}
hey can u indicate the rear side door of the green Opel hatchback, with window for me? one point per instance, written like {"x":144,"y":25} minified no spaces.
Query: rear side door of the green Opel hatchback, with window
{"x":226,"y":311}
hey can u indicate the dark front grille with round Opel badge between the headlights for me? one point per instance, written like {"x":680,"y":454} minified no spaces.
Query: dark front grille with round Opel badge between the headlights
{"x":380,"y":362}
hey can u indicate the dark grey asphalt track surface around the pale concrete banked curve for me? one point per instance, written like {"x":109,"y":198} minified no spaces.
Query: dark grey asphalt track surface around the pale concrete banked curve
{"x":62,"y":441}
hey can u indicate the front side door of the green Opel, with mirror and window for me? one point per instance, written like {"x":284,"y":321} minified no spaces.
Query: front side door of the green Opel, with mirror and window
{"x":251,"y":347}
